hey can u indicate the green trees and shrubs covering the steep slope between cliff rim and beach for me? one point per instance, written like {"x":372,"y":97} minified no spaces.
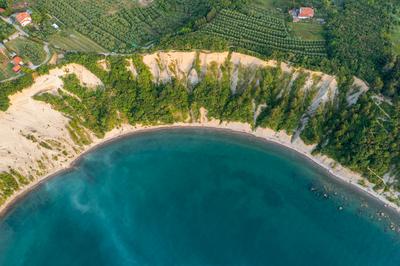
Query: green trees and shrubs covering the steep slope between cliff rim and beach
{"x":363,"y":136}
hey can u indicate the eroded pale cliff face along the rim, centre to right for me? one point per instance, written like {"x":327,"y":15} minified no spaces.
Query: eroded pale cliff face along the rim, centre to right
{"x":182,"y":65}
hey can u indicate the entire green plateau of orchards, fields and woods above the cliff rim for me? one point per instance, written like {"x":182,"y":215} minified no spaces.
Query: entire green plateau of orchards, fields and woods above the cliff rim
{"x":337,"y":40}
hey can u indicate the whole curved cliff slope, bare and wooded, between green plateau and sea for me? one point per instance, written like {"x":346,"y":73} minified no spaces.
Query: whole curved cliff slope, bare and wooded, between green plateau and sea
{"x":92,"y":98}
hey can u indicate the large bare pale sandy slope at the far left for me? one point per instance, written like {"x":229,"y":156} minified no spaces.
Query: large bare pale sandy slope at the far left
{"x":29,"y":127}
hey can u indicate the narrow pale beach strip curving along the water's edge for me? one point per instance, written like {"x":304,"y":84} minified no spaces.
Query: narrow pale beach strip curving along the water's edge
{"x":280,"y":139}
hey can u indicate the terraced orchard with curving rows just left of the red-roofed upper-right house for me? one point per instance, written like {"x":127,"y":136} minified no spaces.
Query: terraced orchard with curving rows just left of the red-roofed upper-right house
{"x":261,"y":33}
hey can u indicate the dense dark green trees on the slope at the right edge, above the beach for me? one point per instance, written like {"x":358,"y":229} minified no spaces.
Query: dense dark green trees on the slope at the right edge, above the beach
{"x":366,"y":137}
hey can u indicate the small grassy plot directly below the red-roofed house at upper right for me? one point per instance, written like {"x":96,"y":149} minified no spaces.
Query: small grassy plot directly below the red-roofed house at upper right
{"x":307,"y":31}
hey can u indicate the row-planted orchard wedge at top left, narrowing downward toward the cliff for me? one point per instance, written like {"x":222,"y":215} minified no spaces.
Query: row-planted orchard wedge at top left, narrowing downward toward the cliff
{"x":121,"y":26}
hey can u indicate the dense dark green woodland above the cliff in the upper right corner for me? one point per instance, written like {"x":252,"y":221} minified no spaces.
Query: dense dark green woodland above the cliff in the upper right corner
{"x":358,"y":36}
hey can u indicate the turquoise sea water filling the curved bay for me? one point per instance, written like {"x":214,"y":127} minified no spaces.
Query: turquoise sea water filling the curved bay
{"x":194,"y":197}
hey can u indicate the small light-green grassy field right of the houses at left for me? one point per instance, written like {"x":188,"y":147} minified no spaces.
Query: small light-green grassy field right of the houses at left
{"x":72,"y":40}
